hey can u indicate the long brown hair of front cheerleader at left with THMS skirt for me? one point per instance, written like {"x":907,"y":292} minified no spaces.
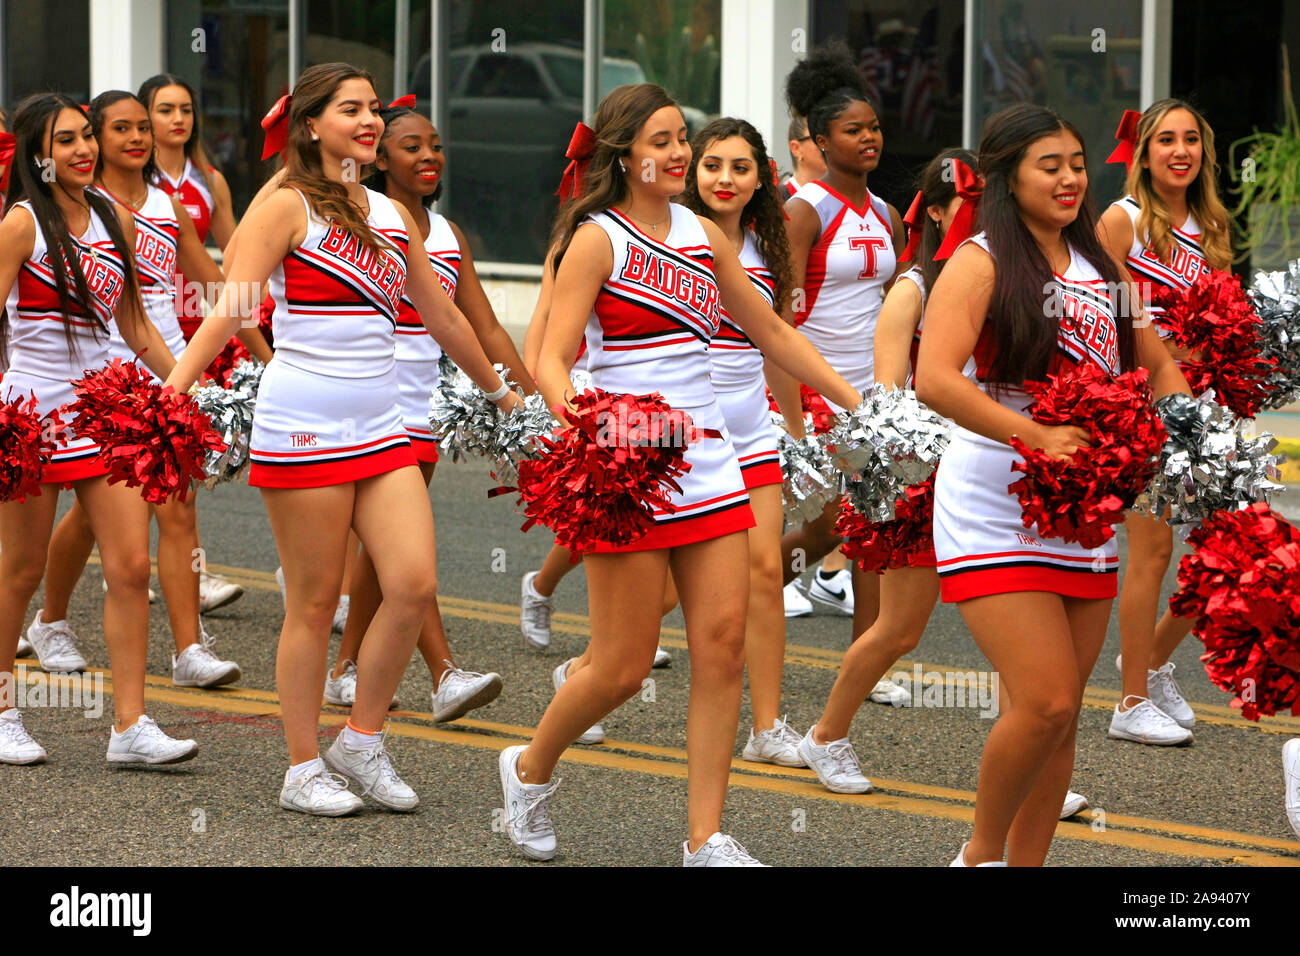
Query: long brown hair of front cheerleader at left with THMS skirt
{"x":330,"y":201}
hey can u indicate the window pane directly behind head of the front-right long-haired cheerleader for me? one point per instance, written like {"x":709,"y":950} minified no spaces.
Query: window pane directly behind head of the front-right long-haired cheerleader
{"x":1032,"y":54}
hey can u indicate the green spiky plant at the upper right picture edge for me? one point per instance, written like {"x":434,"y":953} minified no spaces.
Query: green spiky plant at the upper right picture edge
{"x":1268,"y":179}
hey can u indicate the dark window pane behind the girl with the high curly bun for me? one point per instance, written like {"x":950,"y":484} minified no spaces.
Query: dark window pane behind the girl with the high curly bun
{"x":912,"y":57}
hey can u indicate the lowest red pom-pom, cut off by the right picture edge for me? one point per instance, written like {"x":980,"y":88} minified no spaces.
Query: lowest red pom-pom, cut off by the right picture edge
{"x":1243,"y":587}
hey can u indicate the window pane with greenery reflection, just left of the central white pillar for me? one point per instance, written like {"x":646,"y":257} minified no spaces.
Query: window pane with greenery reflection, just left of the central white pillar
{"x":669,"y":44}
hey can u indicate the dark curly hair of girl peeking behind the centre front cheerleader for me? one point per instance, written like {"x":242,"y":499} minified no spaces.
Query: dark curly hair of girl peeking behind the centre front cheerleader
{"x":764,"y":213}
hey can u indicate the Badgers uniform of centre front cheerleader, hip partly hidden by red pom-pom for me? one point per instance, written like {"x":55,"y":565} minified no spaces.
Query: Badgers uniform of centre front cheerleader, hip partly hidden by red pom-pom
{"x":649,"y":332}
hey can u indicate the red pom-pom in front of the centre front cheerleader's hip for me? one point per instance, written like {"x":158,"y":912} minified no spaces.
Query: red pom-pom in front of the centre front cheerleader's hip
{"x":603,"y":479}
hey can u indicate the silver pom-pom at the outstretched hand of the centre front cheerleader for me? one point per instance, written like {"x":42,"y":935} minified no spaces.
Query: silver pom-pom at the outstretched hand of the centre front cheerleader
{"x":890,"y":443}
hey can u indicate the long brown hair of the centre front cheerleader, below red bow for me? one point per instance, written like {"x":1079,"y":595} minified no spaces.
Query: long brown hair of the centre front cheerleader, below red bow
{"x":618,"y":123}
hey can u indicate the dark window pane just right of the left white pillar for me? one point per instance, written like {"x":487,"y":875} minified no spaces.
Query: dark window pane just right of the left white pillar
{"x":242,"y":70}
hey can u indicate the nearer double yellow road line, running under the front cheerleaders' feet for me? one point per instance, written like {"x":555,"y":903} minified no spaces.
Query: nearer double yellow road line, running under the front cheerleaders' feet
{"x":902,"y":797}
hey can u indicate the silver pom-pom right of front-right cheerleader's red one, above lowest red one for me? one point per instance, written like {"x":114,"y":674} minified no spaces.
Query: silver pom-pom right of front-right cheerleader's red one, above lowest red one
{"x":1208,"y":464}
